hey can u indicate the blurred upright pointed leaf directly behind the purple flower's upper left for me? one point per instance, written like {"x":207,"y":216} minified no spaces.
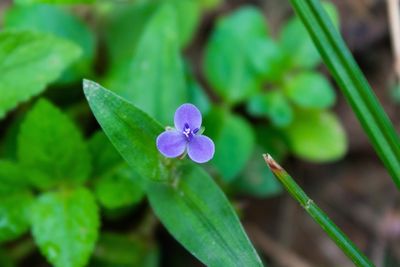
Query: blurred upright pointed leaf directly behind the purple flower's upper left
{"x":155,"y":79}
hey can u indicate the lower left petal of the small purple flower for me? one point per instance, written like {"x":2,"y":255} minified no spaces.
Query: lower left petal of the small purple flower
{"x":171,"y":143}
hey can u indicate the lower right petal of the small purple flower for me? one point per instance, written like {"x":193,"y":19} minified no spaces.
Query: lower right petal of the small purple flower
{"x":201,"y":148}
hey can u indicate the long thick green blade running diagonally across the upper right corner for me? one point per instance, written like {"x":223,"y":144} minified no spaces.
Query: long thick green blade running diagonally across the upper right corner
{"x":354,"y":85}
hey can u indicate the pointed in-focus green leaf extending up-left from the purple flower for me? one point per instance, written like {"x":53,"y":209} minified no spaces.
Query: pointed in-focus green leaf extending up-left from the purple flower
{"x":130,"y":130}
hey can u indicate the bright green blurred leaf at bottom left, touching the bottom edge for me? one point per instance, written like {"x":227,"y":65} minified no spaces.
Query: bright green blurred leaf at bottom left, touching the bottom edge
{"x":65,"y":226}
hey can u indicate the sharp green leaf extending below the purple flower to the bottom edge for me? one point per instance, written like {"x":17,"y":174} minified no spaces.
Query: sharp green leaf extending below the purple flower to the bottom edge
{"x":196,"y":212}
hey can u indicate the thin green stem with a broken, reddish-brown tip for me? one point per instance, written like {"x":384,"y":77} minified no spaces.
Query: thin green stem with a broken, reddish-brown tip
{"x":341,"y":240}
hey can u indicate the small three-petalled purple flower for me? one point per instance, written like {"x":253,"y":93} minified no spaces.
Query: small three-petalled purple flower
{"x":186,"y":136}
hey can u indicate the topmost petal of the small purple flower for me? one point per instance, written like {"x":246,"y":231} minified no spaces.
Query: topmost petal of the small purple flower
{"x":187,"y":113}
